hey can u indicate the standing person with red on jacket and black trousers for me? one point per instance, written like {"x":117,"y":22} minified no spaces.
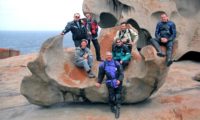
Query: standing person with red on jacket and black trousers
{"x":92,"y":34}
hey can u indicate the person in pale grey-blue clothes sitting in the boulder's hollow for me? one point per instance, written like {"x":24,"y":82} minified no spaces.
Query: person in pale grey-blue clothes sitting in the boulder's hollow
{"x":84,"y":58}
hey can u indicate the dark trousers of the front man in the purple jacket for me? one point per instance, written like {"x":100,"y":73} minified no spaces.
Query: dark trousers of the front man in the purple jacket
{"x":114,"y":95}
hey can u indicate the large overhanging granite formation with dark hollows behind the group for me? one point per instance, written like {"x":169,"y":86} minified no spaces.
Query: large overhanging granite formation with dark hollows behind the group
{"x":144,"y":14}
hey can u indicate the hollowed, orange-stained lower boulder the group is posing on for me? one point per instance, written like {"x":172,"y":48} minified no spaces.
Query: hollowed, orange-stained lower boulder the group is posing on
{"x":55,"y":79}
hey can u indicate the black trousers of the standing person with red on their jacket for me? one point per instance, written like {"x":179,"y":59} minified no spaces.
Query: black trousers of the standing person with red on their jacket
{"x":96,"y":46}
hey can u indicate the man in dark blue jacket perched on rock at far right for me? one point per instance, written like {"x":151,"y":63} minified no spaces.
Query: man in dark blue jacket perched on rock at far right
{"x":165,"y":34}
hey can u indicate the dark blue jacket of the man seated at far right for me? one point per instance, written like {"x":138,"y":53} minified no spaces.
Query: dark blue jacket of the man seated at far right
{"x":166,"y":30}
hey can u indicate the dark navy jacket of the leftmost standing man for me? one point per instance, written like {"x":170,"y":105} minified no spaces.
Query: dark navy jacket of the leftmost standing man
{"x":78,"y":33}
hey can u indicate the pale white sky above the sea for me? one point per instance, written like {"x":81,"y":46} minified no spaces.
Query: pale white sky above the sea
{"x":37,"y":14}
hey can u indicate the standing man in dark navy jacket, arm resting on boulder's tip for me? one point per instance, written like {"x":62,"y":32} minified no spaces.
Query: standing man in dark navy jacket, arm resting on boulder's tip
{"x":77,"y":29}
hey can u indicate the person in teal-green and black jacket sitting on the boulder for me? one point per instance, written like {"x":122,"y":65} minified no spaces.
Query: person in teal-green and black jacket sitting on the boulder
{"x":121,"y":53}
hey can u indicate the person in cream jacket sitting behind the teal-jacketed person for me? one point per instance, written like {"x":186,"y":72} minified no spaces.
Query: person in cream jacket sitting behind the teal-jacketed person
{"x":128,"y":36}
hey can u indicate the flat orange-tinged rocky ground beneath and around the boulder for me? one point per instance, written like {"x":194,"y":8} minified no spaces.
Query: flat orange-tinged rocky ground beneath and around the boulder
{"x":178,"y":99}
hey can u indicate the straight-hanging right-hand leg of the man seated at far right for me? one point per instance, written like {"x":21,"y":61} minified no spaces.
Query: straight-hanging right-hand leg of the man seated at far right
{"x":169,"y":47}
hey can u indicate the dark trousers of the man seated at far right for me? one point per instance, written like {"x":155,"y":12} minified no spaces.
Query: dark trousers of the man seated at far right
{"x":169,"y":46}
